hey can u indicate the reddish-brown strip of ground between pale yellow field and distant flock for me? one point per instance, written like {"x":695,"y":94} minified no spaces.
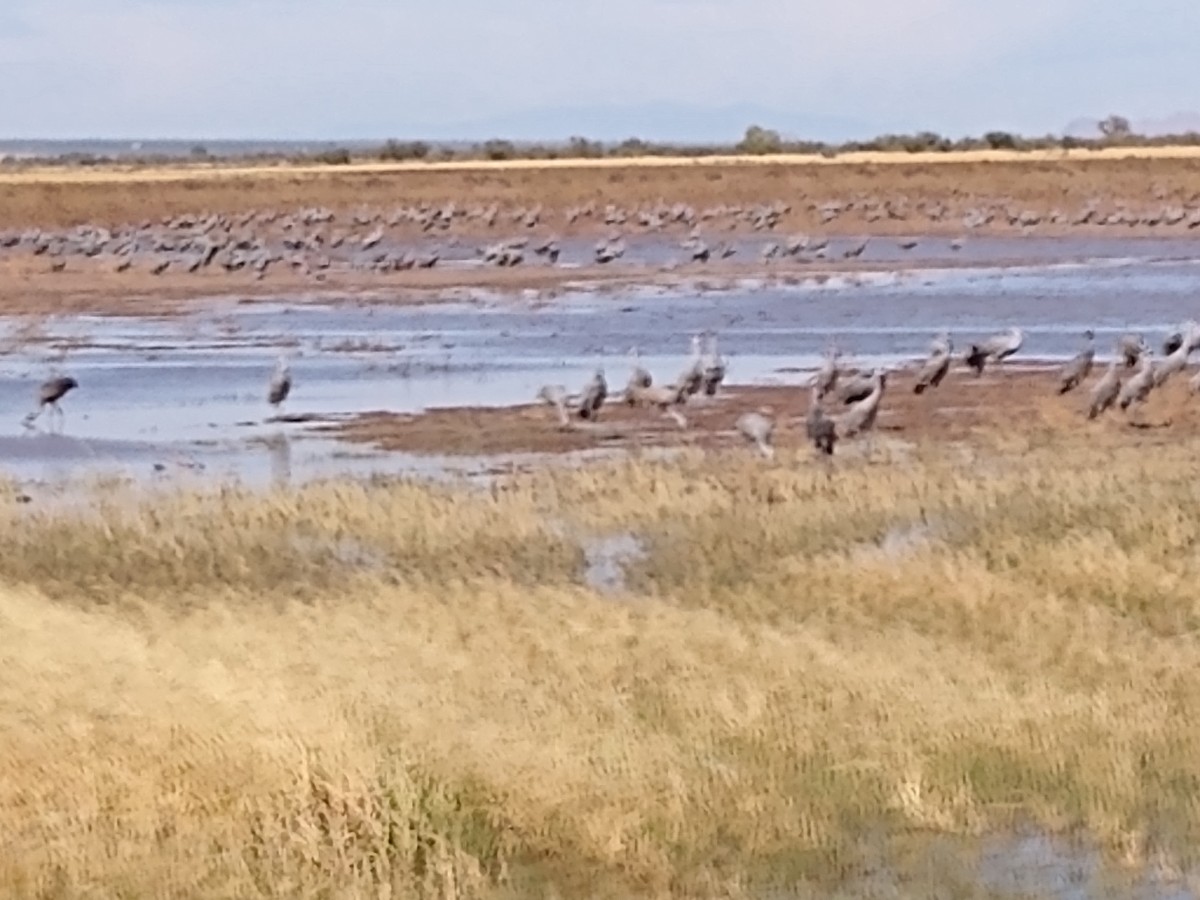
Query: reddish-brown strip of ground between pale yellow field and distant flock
{"x":1037,"y":185}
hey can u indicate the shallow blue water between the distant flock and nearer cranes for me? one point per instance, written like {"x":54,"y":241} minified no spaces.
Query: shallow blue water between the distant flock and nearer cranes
{"x":190,"y":393}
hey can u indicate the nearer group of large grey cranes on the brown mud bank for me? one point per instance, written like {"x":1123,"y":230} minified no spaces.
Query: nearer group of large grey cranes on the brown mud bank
{"x":859,"y":395}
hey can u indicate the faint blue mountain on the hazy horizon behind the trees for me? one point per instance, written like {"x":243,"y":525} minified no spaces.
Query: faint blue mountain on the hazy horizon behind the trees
{"x":669,"y":123}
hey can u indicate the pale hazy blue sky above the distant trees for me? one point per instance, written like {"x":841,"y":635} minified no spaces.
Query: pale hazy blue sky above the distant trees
{"x":344,"y":69}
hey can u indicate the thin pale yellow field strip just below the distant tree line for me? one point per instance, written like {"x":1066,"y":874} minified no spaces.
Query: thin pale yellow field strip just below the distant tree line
{"x":199,"y":171}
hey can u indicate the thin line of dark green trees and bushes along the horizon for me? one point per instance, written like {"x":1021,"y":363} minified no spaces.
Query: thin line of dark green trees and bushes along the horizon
{"x":1114,"y":131}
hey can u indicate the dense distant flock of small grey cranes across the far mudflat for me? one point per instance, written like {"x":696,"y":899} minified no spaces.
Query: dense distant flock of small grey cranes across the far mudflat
{"x":315,"y":241}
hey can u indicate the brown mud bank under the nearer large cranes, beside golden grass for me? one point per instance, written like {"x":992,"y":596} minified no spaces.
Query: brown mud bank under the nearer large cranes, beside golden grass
{"x":1017,"y":405}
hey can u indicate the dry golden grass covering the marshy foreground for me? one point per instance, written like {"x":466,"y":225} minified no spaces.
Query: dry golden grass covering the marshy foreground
{"x":406,"y":691}
